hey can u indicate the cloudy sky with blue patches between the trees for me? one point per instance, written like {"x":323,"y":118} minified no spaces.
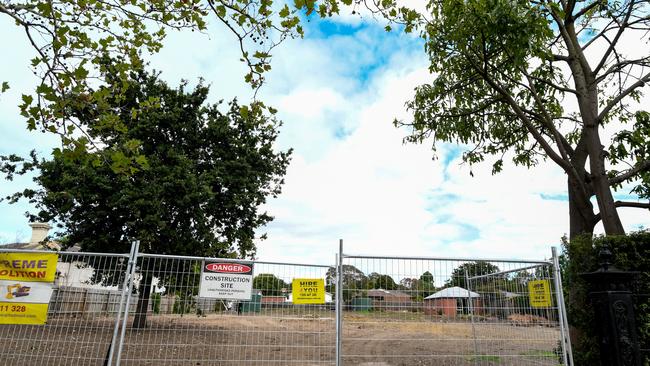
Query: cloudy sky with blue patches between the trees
{"x":351,"y":177}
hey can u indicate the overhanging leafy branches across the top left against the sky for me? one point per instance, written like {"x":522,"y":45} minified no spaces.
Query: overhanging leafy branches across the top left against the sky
{"x":71,"y":38}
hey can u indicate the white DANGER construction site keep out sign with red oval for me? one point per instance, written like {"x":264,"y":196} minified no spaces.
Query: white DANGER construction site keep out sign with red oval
{"x":226,"y":280}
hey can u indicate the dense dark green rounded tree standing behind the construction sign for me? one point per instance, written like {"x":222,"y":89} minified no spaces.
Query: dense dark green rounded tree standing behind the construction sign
{"x":198,"y":193}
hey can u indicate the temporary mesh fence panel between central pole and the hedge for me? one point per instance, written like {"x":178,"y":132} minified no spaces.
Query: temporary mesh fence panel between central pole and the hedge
{"x":436,"y":311}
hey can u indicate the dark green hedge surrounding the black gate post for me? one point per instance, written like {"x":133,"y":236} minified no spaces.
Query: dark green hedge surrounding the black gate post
{"x":630,"y":252}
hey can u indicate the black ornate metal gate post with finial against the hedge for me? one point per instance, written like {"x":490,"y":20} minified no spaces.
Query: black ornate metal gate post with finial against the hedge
{"x":610,"y":293}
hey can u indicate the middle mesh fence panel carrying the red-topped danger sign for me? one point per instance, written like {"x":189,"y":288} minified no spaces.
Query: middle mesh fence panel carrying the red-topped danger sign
{"x":173,"y":326}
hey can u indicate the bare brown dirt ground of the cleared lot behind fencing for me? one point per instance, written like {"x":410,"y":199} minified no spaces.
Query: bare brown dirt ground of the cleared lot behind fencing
{"x":280,"y":339}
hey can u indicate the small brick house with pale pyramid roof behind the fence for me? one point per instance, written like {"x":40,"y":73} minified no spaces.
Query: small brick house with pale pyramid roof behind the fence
{"x":452,"y":301}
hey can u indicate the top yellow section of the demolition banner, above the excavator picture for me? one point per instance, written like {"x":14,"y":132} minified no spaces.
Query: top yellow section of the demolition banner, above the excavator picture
{"x":32,"y":267}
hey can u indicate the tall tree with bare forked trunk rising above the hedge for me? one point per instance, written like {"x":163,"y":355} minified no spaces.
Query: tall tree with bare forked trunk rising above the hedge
{"x":504,"y":73}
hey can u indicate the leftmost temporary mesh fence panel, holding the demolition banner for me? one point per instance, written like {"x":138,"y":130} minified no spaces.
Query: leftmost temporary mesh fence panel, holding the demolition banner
{"x":81,"y":317}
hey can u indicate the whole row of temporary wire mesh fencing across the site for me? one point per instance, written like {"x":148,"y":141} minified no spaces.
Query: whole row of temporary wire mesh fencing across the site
{"x":388,"y":310}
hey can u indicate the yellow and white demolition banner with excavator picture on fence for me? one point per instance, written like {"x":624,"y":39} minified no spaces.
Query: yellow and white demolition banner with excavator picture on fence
{"x":26,"y":281}
